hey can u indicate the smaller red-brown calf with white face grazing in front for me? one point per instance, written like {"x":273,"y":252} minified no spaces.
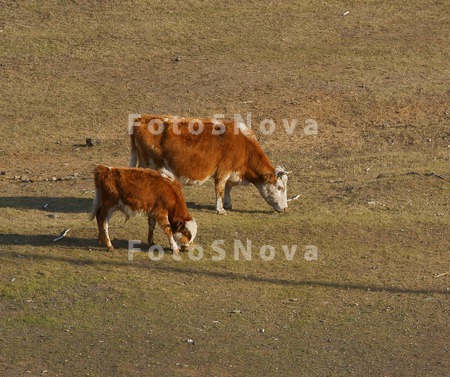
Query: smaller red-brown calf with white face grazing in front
{"x":143,"y":191}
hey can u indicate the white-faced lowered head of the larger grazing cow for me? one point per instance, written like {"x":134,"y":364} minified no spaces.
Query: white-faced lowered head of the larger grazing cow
{"x":274,"y":189}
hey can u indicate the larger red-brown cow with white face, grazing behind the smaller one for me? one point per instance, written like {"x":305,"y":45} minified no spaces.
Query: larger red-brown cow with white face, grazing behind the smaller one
{"x":196,"y":150}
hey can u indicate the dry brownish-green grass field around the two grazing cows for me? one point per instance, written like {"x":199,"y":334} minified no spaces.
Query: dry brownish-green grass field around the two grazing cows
{"x":366,"y":292}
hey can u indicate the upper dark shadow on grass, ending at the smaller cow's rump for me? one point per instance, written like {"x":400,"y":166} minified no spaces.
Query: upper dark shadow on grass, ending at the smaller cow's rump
{"x":48,"y":204}
